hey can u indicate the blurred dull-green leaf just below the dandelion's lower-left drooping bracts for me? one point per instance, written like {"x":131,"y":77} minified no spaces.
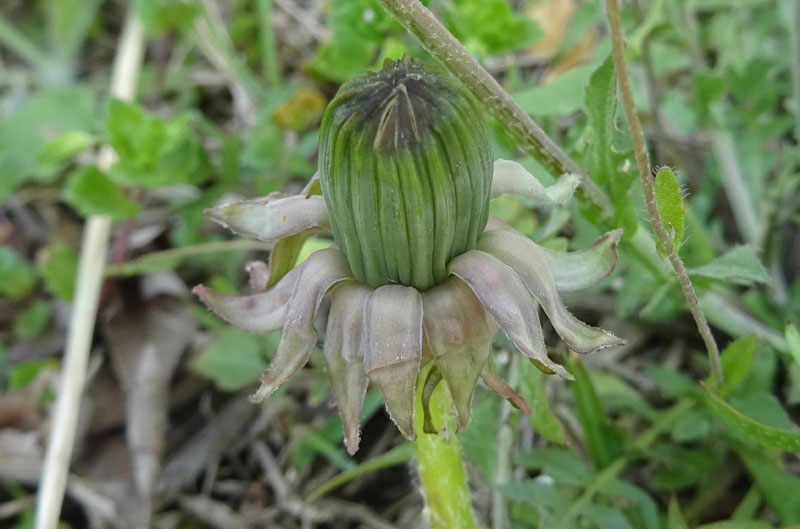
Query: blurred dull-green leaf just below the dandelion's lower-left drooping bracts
{"x":233,"y":361}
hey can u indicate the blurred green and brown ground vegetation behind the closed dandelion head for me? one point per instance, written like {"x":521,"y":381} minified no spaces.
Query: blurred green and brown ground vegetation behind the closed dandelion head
{"x":228,"y":106}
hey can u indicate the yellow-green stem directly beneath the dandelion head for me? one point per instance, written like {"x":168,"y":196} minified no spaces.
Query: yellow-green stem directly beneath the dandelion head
{"x":441,"y":470}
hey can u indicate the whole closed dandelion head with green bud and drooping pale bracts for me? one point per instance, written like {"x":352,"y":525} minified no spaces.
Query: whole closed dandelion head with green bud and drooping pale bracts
{"x":419,"y":273}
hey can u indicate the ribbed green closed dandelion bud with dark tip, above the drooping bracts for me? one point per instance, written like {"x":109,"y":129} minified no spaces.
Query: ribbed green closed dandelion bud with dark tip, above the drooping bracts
{"x":405,"y":165}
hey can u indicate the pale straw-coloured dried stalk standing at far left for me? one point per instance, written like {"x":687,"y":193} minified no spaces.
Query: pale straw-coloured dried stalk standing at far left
{"x":87,"y":290}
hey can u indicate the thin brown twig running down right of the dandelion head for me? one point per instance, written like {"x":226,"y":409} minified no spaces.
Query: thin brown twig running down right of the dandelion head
{"x":643,"y":161}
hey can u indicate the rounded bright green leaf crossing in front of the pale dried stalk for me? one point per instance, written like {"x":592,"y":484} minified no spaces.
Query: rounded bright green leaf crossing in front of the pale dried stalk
{"x":91,"y":192}
